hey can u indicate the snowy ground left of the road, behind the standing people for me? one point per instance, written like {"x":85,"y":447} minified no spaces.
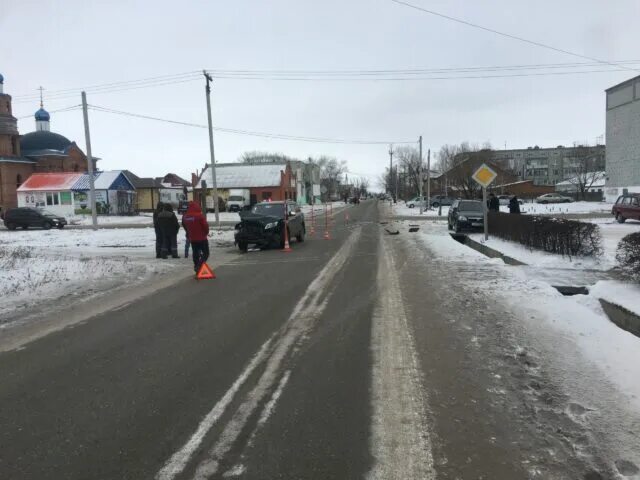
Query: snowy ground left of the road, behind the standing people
{"x":37,"y":266}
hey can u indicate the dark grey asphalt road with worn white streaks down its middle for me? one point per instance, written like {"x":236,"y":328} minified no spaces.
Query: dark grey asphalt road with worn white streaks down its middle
{"x":344,"y":359}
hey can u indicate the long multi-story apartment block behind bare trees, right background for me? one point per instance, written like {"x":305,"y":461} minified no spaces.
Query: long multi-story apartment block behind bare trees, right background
{"x":549,"y":166}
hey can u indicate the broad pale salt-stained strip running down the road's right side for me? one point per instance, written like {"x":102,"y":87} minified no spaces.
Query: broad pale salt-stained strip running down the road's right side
{"x":400,"y":437}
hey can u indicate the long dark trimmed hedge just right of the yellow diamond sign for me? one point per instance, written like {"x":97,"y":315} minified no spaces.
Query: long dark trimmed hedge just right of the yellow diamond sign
{"x":554,"y":235}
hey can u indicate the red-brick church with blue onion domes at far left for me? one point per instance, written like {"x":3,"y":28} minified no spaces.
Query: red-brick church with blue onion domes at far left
{"x":38,"y":151}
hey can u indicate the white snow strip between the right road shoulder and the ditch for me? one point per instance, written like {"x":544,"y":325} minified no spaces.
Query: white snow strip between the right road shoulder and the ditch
{"x":594,"y":360}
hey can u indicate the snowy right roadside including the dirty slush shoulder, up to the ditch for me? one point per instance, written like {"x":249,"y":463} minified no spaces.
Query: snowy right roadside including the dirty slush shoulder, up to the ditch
{"x":579,"y":369}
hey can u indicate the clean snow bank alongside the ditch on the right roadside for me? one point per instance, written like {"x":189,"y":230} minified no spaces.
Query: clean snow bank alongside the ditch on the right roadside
{"x":579,"y":319}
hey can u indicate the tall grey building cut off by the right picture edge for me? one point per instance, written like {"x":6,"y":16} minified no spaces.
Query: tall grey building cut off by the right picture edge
{"x":623,"y":138}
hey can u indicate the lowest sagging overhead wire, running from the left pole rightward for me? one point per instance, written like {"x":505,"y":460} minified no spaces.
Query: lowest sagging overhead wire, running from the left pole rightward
{"x":278,"y":136}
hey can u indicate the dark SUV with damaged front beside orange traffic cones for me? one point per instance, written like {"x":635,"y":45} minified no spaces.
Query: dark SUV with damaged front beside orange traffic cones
{"x":263,"y":226}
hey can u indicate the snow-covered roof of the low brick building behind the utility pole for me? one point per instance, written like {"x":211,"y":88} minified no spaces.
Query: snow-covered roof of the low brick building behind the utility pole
{"x":245,"y":175}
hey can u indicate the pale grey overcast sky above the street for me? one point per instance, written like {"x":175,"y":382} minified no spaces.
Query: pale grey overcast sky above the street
{"x":64,"y":44}
